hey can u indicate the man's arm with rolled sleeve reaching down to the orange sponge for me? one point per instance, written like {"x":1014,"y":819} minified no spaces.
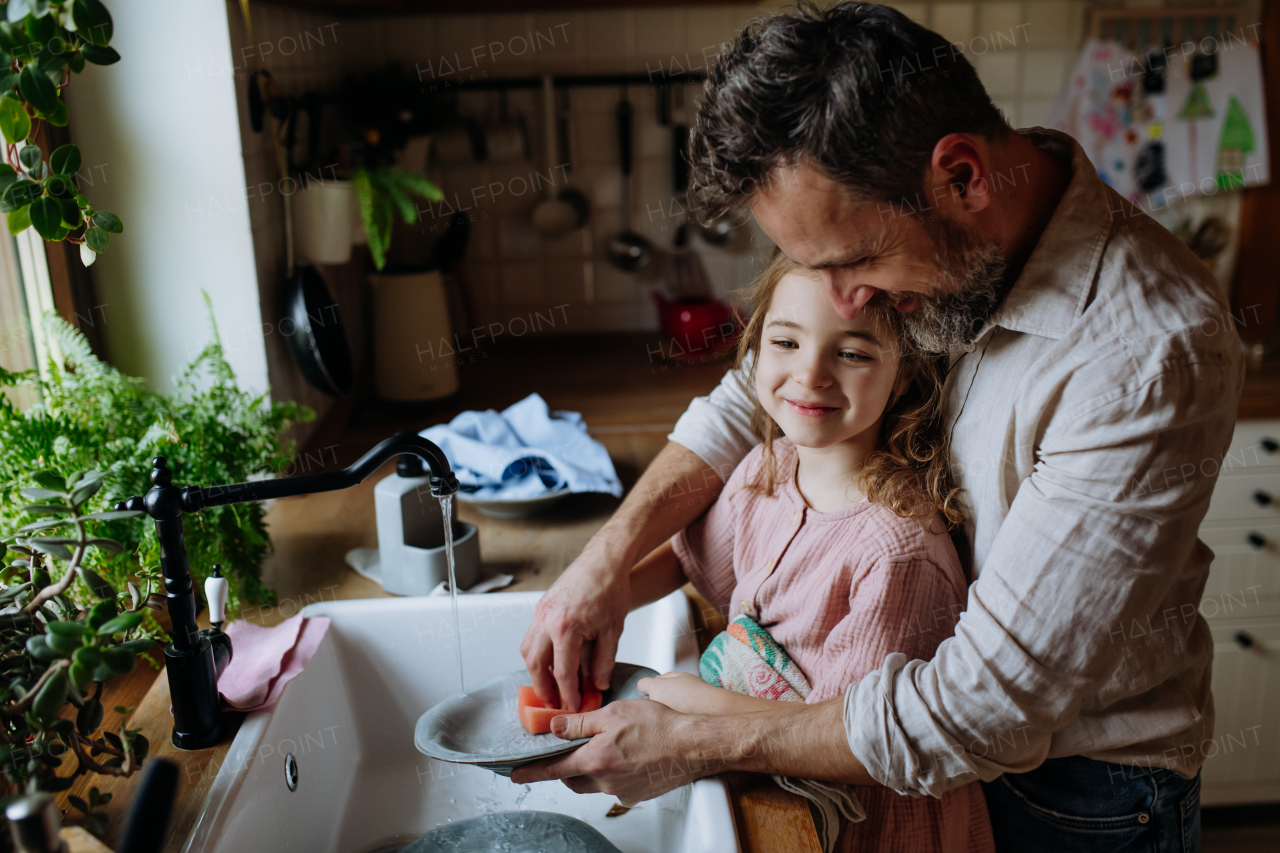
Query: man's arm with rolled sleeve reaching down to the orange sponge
{"x":578,"y":623}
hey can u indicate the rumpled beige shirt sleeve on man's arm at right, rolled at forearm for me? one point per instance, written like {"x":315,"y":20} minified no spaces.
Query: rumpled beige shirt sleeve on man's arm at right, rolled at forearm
{"x":1095,"y":540}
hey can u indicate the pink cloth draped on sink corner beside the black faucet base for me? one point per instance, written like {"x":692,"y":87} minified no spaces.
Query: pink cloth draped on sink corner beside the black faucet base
{"x":267,"y":659}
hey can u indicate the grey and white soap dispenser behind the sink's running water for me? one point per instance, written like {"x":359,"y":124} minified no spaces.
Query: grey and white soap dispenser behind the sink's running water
{"x":412,"y":535}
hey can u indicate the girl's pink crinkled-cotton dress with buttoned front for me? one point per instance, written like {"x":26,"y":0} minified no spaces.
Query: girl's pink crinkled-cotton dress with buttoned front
{"x":839,"y":592}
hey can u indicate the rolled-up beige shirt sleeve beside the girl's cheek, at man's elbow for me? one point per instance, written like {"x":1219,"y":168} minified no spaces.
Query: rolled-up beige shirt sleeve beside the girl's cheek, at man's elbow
{"x":719,"y":427}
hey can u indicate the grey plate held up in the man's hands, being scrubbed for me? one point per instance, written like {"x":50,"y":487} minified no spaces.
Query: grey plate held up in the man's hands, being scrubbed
{"x":482,"y":727}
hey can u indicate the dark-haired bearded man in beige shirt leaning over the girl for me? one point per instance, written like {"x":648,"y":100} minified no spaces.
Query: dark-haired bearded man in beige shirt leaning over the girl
{"x":1092,"y":394}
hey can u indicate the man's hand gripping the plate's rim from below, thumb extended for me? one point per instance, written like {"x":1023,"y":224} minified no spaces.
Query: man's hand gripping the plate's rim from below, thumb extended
{"x":639,"y":750}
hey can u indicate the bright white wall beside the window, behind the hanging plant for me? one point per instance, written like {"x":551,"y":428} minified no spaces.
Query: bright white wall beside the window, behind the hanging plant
{"x":162,"y":145}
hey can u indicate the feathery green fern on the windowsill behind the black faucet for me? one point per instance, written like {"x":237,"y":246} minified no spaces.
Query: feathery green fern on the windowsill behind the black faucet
{"x":92,"y":416}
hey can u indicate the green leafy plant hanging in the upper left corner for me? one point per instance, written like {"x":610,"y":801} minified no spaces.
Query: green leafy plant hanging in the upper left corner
{"x":43,"y":44}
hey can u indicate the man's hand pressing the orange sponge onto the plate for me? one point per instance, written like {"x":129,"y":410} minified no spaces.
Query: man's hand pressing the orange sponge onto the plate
{"x":577,"y":627}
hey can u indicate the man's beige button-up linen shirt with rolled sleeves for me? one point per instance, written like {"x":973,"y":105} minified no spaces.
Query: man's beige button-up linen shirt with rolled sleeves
{"x":1089,"y":422}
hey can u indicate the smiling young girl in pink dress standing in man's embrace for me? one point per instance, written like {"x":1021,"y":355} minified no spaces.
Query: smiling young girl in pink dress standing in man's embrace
{"x":831,"y":540}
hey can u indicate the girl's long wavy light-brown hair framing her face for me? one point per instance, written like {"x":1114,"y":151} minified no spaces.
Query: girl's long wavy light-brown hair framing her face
{"x":909,"y":471}
